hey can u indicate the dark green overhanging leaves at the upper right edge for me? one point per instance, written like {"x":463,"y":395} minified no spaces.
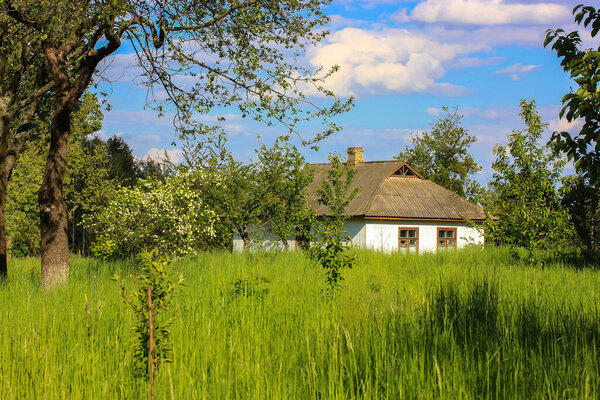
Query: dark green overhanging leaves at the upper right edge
{"x":583,"y":66}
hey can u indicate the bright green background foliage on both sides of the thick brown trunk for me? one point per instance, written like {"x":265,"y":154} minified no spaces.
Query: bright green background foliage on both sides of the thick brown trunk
{"x":87,"y":187}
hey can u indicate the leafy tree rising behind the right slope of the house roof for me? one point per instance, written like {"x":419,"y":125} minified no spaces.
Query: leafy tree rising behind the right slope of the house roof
{"x":442,"y":154}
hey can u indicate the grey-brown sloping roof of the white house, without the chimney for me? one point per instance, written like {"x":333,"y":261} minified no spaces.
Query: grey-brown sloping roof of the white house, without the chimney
{"x":384,"y":194}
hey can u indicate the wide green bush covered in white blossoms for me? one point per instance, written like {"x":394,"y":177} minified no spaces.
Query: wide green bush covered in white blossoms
{"x":167,"y":214}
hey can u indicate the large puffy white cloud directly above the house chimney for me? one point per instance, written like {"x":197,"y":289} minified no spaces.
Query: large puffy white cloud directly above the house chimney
{"x":386,"y":61}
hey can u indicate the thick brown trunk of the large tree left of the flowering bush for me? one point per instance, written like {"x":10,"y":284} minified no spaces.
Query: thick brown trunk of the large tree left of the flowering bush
{"x":53,"y":210}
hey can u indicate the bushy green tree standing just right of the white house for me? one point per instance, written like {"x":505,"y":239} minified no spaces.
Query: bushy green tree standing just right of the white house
{"x":524,"y":190}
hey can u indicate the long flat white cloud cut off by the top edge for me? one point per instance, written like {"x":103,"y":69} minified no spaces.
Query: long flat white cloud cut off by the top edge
{"x":489,"y":12}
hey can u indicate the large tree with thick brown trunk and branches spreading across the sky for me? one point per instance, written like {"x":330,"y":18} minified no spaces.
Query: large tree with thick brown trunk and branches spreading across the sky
{"x":201,"y":54}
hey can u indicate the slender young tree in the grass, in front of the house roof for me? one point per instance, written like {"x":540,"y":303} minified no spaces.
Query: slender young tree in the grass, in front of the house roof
{"x":330,"y":248}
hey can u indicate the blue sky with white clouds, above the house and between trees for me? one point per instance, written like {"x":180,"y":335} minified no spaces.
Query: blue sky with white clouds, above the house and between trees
{"x":402,"y":61}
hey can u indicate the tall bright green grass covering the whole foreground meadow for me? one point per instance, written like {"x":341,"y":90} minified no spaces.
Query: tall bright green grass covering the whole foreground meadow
{"x":465,"y":324}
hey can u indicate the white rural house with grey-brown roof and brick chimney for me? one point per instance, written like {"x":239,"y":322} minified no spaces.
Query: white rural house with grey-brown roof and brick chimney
{"x":396,"y":209}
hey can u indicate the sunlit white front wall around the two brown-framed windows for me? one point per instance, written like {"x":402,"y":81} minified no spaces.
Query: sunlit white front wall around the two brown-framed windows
{"x":383,"y":234}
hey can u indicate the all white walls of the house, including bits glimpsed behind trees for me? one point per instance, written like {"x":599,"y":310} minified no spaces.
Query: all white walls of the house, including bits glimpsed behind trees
{"x":382,"y":235}
